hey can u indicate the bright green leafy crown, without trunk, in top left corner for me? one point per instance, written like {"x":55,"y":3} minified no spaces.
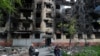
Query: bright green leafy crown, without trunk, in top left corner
{"x":8,"y":5}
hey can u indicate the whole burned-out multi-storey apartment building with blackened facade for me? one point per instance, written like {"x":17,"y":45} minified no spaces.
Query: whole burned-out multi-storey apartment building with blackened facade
{"x":42,"y":21}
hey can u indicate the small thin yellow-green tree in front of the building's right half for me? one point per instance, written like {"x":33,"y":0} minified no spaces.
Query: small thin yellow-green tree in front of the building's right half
{"x":70,"y":27}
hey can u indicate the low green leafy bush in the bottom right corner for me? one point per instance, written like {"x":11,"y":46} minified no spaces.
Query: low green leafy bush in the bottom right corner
{"x":89,"y":51}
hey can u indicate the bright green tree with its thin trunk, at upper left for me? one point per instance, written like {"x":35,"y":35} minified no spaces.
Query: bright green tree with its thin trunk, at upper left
{"x":8,"y":7}
